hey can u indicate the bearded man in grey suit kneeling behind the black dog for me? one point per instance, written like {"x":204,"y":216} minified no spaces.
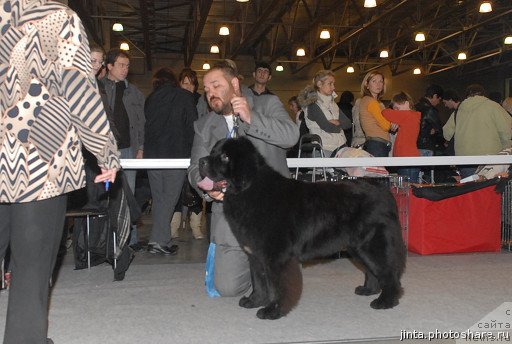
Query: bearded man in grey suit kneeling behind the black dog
{"x":269,"y":128}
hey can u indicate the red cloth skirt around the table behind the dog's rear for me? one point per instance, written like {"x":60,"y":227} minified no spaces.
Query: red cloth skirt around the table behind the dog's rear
{"x":466,"y":223}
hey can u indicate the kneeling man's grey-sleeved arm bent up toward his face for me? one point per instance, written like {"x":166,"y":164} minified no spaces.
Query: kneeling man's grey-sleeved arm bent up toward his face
{"x":272,"y":124}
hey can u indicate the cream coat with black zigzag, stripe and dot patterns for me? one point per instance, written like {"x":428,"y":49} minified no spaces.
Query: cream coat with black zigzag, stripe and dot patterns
{"x":49,"y":103}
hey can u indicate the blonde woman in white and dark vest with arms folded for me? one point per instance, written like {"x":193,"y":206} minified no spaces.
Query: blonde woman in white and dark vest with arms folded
{"x":321,"y":113}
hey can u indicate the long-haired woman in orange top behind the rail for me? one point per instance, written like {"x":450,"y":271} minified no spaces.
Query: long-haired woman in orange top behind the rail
{"x":375,"y":126}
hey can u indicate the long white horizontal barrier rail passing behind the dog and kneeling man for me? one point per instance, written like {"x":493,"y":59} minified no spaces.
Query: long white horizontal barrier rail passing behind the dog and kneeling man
{"x":130,"y":164}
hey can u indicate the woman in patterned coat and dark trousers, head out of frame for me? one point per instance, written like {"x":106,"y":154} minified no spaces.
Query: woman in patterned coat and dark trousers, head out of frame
{"x":49,"y":106}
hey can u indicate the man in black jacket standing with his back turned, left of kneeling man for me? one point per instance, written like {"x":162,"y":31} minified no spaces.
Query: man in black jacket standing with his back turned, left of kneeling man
{"x":169,"y":132}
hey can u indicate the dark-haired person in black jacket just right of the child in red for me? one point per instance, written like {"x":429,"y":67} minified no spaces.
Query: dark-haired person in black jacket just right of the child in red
{"x":430,"y":138}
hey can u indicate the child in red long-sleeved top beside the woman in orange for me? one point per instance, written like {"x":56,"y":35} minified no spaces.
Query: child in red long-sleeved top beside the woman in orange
{"x":407,"y":134}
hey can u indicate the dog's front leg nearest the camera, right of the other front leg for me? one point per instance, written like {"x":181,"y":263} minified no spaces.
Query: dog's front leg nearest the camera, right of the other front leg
{"x":286,"y":287}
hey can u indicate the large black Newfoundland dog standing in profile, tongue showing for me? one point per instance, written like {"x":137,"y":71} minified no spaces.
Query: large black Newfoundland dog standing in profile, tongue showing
{"x":281,"y":222}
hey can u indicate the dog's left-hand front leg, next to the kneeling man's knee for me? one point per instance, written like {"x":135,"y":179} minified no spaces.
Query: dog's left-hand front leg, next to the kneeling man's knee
{"x":259,"y":296}
